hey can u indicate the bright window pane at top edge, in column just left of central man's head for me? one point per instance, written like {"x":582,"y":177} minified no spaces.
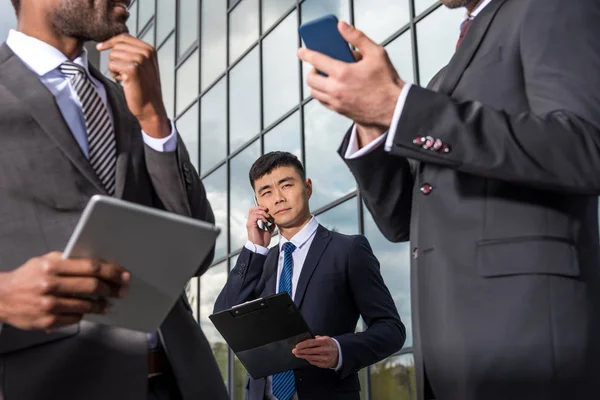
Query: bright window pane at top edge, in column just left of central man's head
{"x":243,"y":28}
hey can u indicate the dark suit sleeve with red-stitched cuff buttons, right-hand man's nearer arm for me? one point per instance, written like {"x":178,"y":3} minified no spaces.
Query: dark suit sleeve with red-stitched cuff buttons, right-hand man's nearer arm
{"x":556,"y":145}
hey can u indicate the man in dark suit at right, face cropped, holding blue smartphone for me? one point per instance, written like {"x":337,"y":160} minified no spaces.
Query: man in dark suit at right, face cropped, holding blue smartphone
{"x":493,"y":171}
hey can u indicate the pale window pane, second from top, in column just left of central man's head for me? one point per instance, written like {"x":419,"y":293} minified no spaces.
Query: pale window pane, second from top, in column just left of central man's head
{"x":244,"y":101}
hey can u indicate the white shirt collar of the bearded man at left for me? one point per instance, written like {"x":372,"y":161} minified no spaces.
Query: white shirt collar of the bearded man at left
{"x":39,"y":56}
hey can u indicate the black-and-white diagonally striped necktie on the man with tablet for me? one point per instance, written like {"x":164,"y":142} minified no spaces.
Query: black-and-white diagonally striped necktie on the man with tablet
{"x":100,"y":131}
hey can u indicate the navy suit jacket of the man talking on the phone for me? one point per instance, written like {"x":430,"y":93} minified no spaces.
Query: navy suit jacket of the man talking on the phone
{"x":340,"y":281}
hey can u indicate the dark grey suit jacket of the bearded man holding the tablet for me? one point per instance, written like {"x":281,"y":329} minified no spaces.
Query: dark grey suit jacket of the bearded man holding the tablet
{"x":45,"y":182}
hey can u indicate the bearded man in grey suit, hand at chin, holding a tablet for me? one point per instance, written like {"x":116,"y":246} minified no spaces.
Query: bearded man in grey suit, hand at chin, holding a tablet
{"x":68,"y":133}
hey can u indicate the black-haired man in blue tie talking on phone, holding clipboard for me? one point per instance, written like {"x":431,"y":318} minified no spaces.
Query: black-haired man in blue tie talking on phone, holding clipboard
{"x":333,"y":279}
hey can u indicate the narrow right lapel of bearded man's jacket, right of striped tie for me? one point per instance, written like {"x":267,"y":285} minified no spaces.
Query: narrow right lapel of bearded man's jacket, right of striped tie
{"x":122,"y":128}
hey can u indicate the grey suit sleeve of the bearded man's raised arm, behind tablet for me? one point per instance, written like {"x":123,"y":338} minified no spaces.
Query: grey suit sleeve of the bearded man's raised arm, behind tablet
{"x":179,"y":187}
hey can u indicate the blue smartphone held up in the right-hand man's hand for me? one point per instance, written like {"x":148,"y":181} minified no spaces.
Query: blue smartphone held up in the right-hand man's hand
{"x":323,"y":36}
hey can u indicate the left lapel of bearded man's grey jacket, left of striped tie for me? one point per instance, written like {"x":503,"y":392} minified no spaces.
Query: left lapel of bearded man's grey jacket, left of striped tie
{"x":37,"y":99}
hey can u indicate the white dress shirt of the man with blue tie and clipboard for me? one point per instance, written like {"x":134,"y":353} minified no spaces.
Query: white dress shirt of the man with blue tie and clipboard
{"x":302,"y":240}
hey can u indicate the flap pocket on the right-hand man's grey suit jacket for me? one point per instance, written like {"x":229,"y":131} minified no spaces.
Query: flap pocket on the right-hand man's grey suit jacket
{"x":527,"y":255}
